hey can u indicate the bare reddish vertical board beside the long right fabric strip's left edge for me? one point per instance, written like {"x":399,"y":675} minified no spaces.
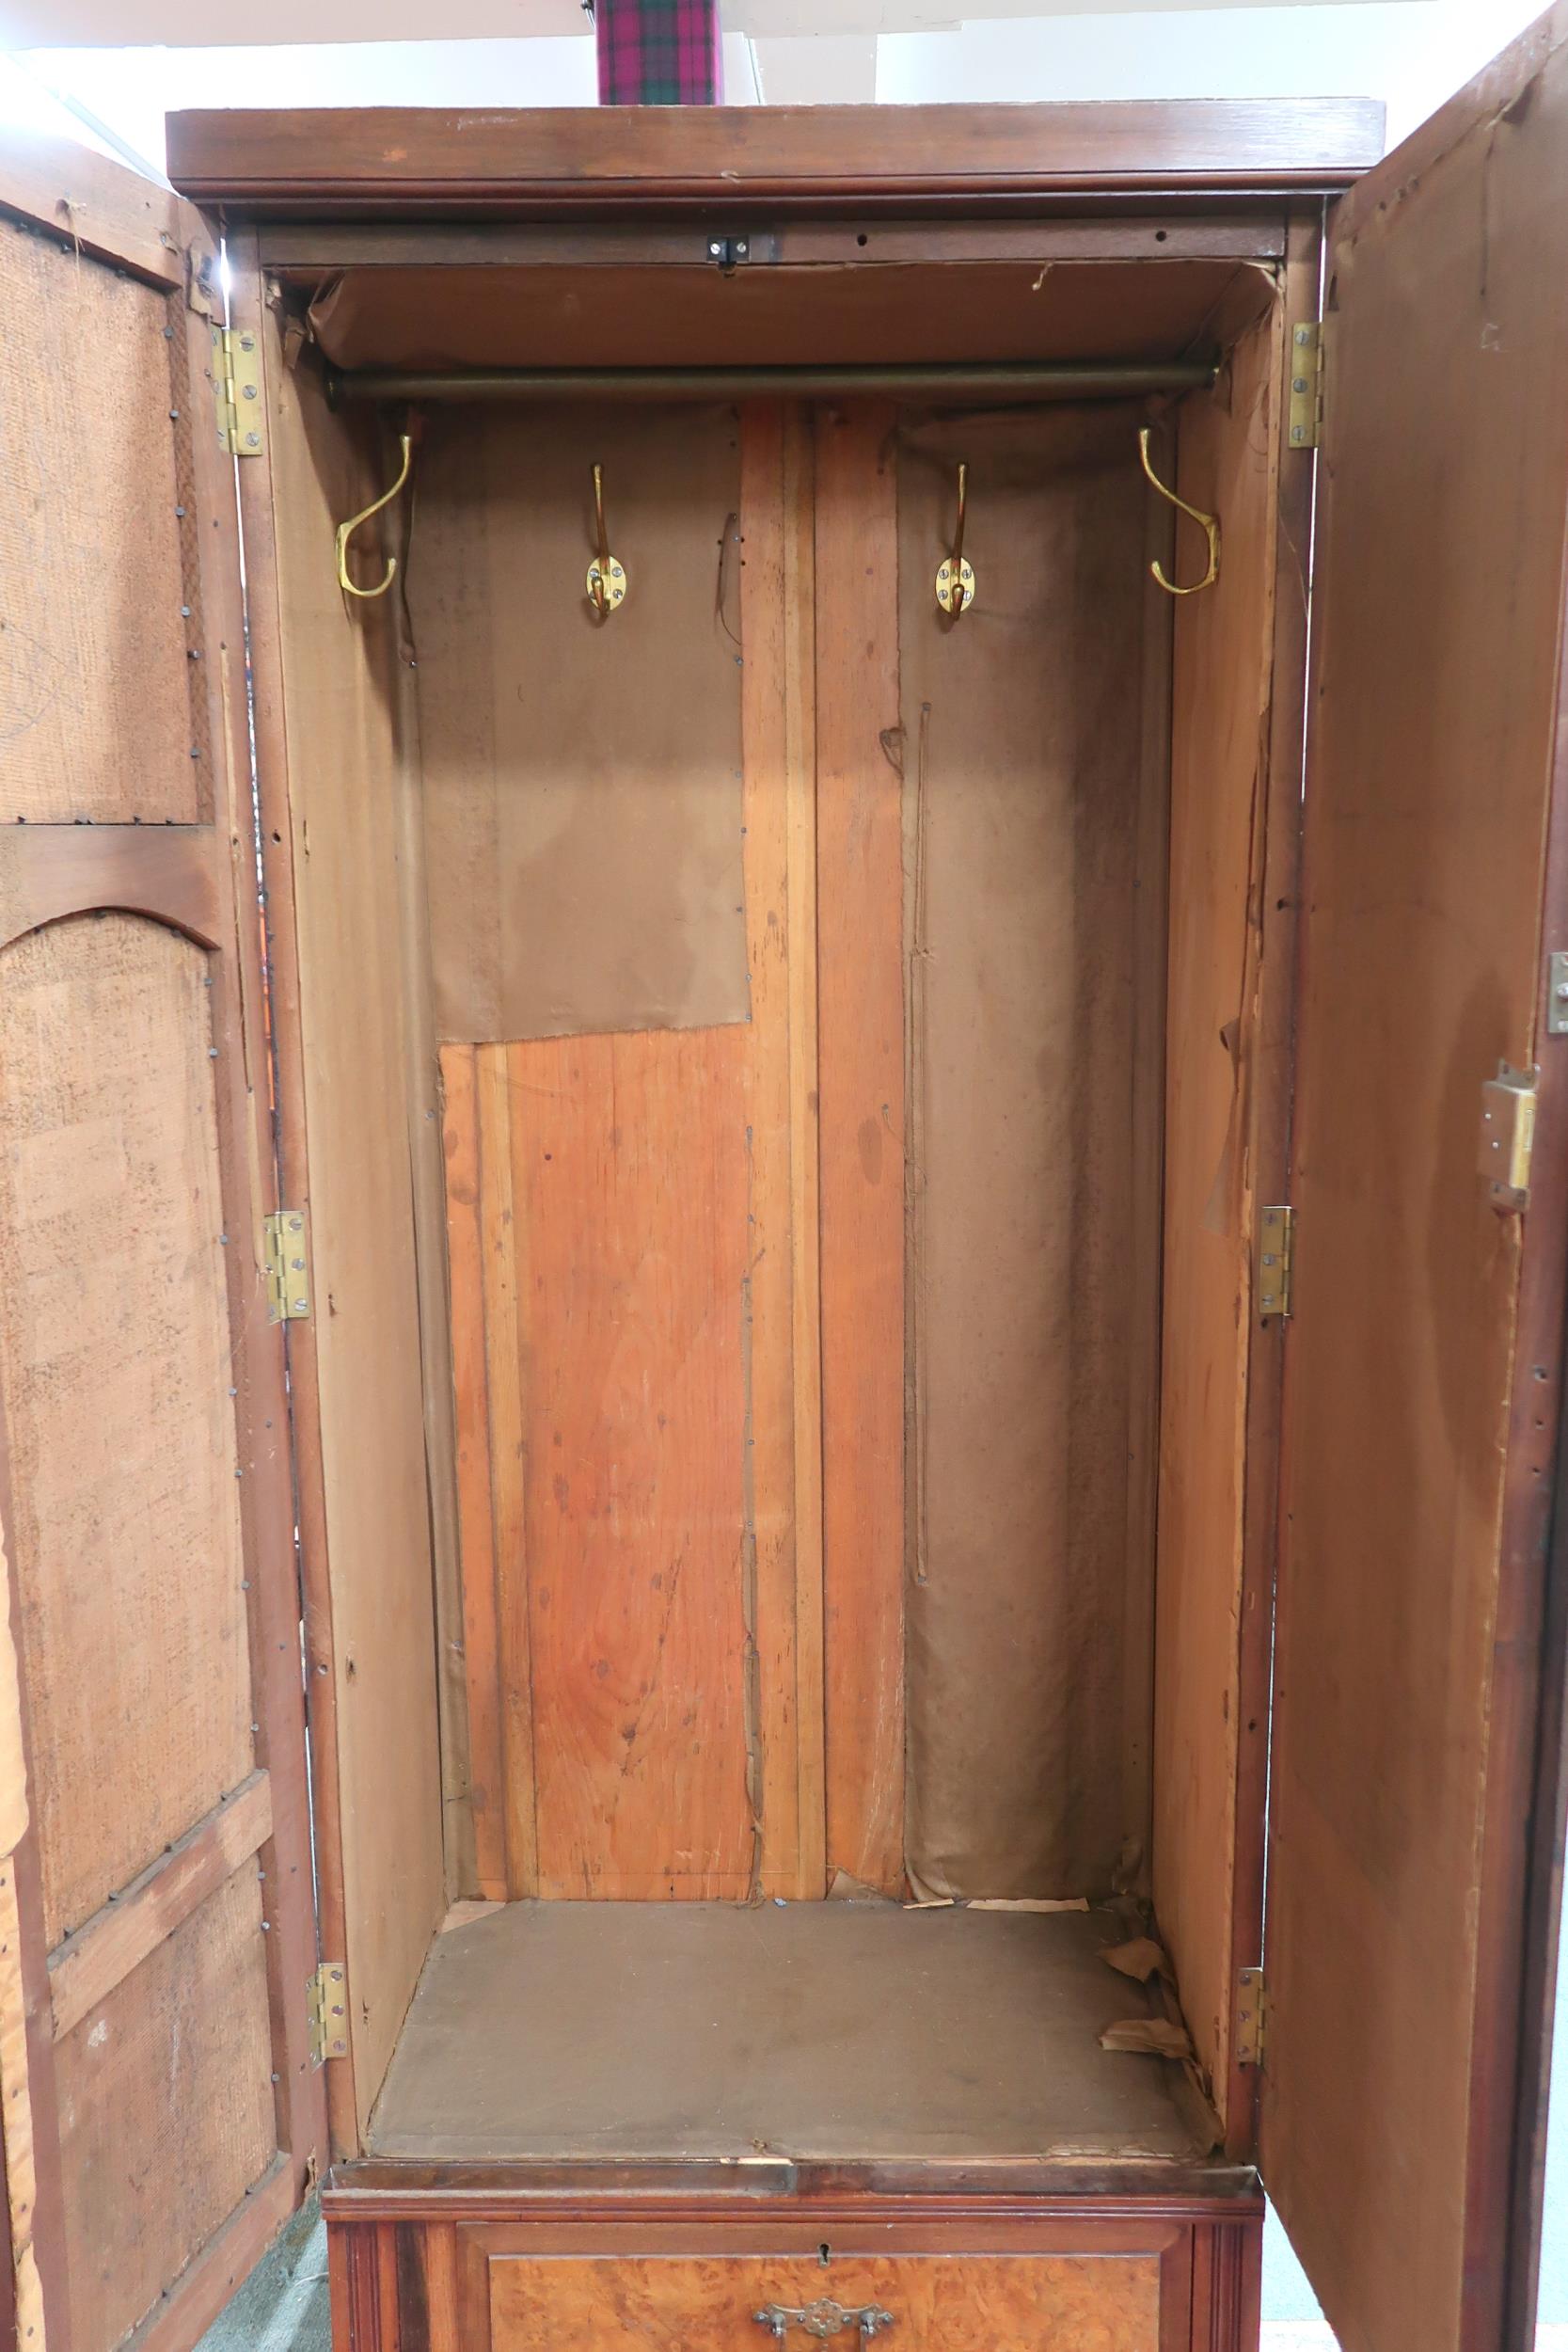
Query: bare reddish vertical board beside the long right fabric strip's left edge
{"x":862,"y":1029}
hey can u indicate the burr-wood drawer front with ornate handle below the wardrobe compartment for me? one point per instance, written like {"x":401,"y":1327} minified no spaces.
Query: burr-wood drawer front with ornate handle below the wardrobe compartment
{"x":913,"y":2304}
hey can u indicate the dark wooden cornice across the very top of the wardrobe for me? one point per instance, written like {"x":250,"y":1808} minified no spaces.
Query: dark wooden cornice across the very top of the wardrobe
{"x":514,"y":163}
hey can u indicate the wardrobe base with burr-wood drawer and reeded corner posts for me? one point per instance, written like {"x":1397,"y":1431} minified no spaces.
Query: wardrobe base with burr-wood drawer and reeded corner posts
{"x":857,"y":2278}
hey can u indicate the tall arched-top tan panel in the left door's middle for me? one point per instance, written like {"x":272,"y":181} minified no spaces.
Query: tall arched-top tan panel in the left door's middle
{"x":116,"y":1387}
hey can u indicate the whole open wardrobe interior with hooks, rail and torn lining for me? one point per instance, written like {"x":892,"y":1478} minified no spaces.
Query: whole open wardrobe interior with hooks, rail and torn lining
{"x":775,"y":1097}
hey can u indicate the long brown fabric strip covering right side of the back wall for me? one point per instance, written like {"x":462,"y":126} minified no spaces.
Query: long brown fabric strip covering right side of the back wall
{"x":1021,"y":813}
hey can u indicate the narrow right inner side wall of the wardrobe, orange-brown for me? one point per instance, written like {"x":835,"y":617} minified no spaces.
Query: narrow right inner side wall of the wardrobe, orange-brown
{"x":1219,"y":831}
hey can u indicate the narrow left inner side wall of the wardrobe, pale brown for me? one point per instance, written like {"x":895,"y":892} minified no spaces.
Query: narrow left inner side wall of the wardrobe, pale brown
{"x":330,"y":773}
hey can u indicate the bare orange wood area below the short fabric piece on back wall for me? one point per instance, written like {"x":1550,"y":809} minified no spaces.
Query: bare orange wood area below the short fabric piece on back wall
{"x":622,"y":1339}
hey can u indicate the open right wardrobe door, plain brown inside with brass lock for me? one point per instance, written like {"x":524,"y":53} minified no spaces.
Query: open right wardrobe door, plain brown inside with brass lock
{"x":1423,"y":1365}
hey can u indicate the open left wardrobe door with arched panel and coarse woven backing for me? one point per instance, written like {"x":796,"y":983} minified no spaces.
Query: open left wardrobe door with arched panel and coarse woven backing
{"x":159,"y":2090}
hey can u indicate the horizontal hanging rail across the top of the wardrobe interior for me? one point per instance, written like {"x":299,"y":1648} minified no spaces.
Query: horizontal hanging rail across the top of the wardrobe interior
{"x":1007,"y":380}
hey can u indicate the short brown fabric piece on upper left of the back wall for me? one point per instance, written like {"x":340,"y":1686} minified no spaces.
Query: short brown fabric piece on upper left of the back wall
{"x":582,"y":780}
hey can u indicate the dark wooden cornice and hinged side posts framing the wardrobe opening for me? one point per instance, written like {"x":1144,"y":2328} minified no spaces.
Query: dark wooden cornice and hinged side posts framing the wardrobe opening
{"x":309,"y":192}
